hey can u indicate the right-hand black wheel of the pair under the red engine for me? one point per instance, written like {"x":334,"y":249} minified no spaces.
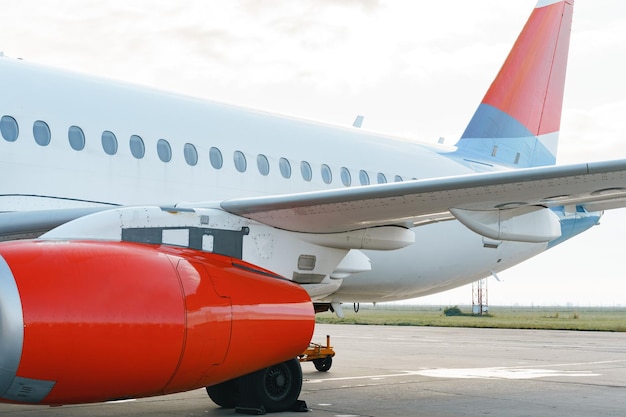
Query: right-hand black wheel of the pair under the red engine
{"x":275,"y":388}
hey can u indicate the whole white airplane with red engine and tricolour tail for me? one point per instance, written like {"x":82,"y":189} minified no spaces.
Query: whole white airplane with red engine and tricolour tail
{"x":155,"y":243}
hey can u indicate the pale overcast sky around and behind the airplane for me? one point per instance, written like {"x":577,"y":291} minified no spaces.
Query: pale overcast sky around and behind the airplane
{"x":413,"y":68}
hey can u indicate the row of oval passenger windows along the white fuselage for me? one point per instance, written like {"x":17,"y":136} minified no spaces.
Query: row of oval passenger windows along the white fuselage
{"x":9,"y":129}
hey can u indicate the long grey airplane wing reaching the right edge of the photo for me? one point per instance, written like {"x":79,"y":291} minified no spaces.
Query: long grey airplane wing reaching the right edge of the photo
{"x":596,"y":186}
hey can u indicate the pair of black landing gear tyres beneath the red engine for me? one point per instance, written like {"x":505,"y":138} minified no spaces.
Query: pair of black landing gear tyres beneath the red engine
{"x":272,"y":389}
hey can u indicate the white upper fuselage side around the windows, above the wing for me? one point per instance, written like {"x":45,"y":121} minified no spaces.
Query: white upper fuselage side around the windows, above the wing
{"x":31,"y":93}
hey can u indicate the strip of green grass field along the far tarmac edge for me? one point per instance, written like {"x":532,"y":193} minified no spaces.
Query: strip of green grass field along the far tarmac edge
{"x":611,"y":319}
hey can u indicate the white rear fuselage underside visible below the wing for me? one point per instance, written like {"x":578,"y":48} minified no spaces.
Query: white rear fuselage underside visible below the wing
{"x":445,"y":255}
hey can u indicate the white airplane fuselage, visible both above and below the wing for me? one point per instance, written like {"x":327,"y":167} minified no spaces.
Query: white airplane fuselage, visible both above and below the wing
{"x":445,"y":254}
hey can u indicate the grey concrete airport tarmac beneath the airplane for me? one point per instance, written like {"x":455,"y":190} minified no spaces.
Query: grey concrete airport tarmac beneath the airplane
{"x":430,"y":371}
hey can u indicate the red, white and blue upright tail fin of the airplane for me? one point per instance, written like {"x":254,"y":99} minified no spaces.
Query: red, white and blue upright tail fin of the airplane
{"x":518,"y":121}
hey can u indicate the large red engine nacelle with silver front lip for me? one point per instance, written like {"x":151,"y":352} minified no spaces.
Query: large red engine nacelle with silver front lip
{"x":95,"y":321}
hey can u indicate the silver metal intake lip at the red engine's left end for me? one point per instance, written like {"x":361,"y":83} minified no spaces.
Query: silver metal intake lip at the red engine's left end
{"x":11,"y":331}
